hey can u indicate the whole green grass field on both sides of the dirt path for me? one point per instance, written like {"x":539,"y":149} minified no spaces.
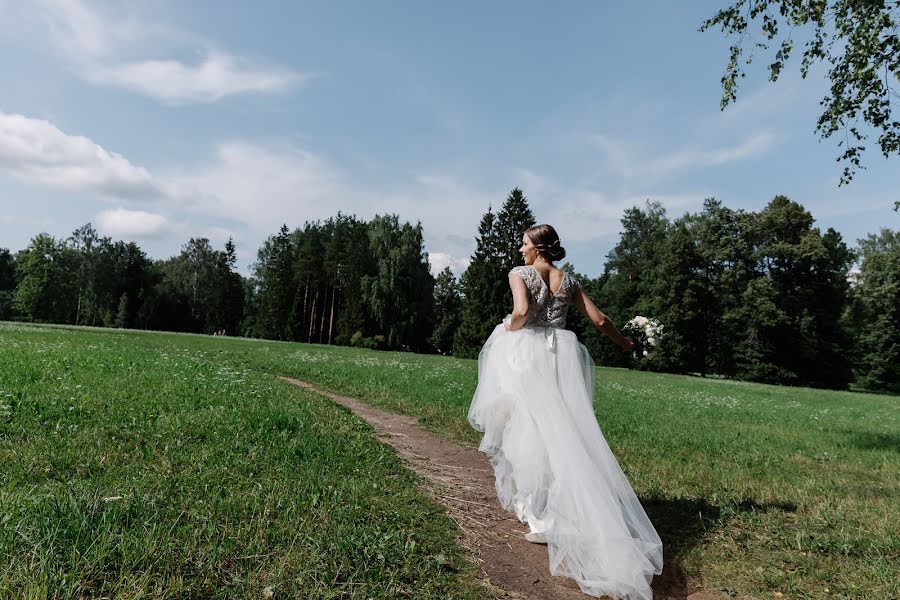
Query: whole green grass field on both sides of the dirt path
{"x":150,"y":465}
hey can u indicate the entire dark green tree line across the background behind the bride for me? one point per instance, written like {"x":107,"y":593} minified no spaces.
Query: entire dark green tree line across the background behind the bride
{"x":759,"y":296}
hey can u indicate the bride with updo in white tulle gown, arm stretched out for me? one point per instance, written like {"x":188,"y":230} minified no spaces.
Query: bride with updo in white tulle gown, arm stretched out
{"x":553,"y":467}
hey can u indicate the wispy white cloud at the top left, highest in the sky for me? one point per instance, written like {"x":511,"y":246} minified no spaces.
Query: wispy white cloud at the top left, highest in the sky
{"x":96,"y":44}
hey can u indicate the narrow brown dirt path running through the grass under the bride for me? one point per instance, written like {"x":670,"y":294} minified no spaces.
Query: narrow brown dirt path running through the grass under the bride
{"x":461,"y":479}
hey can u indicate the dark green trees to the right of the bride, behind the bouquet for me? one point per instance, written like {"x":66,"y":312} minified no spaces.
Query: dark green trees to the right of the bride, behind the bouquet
{"x":759,"y":296}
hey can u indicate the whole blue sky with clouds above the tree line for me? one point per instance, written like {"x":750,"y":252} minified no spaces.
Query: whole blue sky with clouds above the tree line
{"x":158,"y":121}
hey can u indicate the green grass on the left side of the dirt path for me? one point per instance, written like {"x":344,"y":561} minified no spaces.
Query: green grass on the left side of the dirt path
{"x":157,"y":470}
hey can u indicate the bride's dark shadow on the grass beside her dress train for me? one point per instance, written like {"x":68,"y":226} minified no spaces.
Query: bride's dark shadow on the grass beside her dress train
{"x":683,"y":524}
